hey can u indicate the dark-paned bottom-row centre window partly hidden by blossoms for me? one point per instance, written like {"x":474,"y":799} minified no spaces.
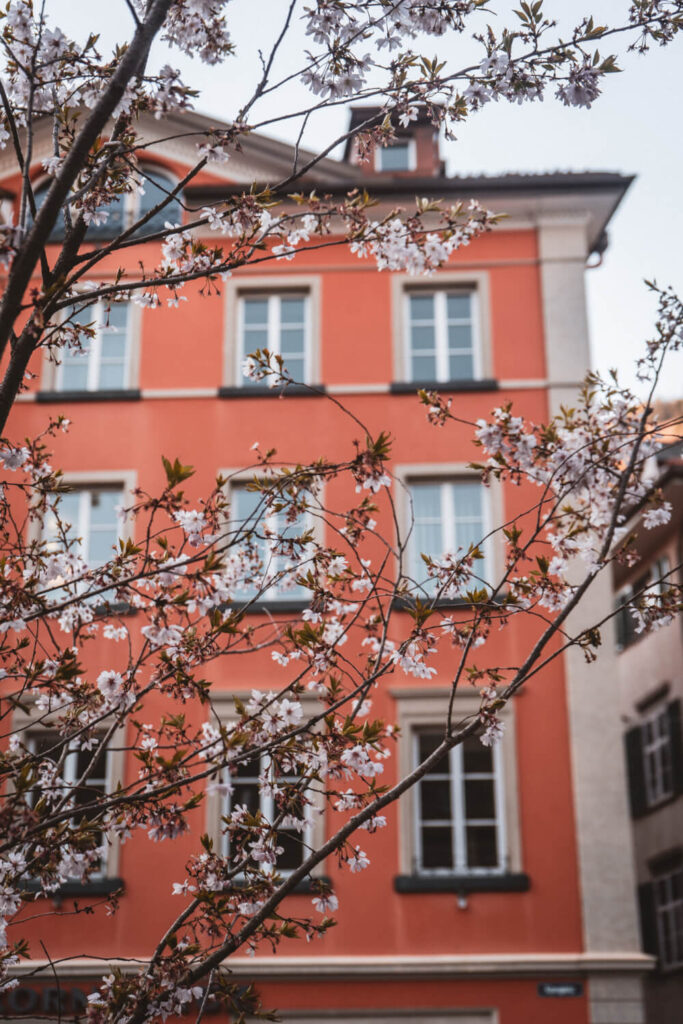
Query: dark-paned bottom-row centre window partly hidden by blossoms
{"x":249,"y":792}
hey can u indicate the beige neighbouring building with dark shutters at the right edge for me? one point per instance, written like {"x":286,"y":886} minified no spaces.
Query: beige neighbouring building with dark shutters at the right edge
{"x":651,"y":674}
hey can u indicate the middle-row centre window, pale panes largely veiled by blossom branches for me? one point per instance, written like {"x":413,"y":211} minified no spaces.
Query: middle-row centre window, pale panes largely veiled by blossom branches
{"x":275,"y":560}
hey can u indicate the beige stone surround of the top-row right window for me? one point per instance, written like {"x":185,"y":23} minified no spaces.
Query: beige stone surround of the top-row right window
{"x":478,"y":284}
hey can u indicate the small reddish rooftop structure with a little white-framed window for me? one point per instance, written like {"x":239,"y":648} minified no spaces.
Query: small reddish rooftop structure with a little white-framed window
{"x":415,"y":151}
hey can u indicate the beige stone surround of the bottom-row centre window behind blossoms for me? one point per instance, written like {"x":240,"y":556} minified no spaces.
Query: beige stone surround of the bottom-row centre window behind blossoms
{"x":223,"y":706}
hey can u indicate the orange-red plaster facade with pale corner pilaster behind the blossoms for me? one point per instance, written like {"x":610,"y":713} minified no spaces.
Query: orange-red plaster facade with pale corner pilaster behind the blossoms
{"x":431,"y":957}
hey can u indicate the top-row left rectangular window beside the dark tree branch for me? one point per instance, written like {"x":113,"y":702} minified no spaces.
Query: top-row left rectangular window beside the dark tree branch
{"x":103,"y":362}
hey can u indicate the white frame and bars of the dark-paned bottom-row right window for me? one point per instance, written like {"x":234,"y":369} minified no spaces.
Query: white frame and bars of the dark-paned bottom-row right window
{"x":458,"y":823}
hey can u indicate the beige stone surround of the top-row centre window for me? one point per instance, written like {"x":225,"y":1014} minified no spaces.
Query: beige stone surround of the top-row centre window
{"x":273,"y":286}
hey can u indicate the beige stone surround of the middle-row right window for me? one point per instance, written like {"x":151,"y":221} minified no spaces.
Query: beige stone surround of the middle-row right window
{"x":492,"y":507}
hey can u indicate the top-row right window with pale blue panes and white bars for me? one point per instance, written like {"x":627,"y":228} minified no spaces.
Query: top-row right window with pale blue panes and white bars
{"x":442,"y":335}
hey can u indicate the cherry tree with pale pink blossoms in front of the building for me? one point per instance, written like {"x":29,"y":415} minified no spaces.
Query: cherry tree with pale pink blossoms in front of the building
{"x":173,"y":601}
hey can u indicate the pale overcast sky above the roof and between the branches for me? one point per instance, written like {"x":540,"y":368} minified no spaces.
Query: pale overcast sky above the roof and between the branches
{"x":634,"y":129}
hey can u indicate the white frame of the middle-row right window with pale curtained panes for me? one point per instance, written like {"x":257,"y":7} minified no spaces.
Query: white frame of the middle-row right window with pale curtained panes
{"x":484,"y":569}
